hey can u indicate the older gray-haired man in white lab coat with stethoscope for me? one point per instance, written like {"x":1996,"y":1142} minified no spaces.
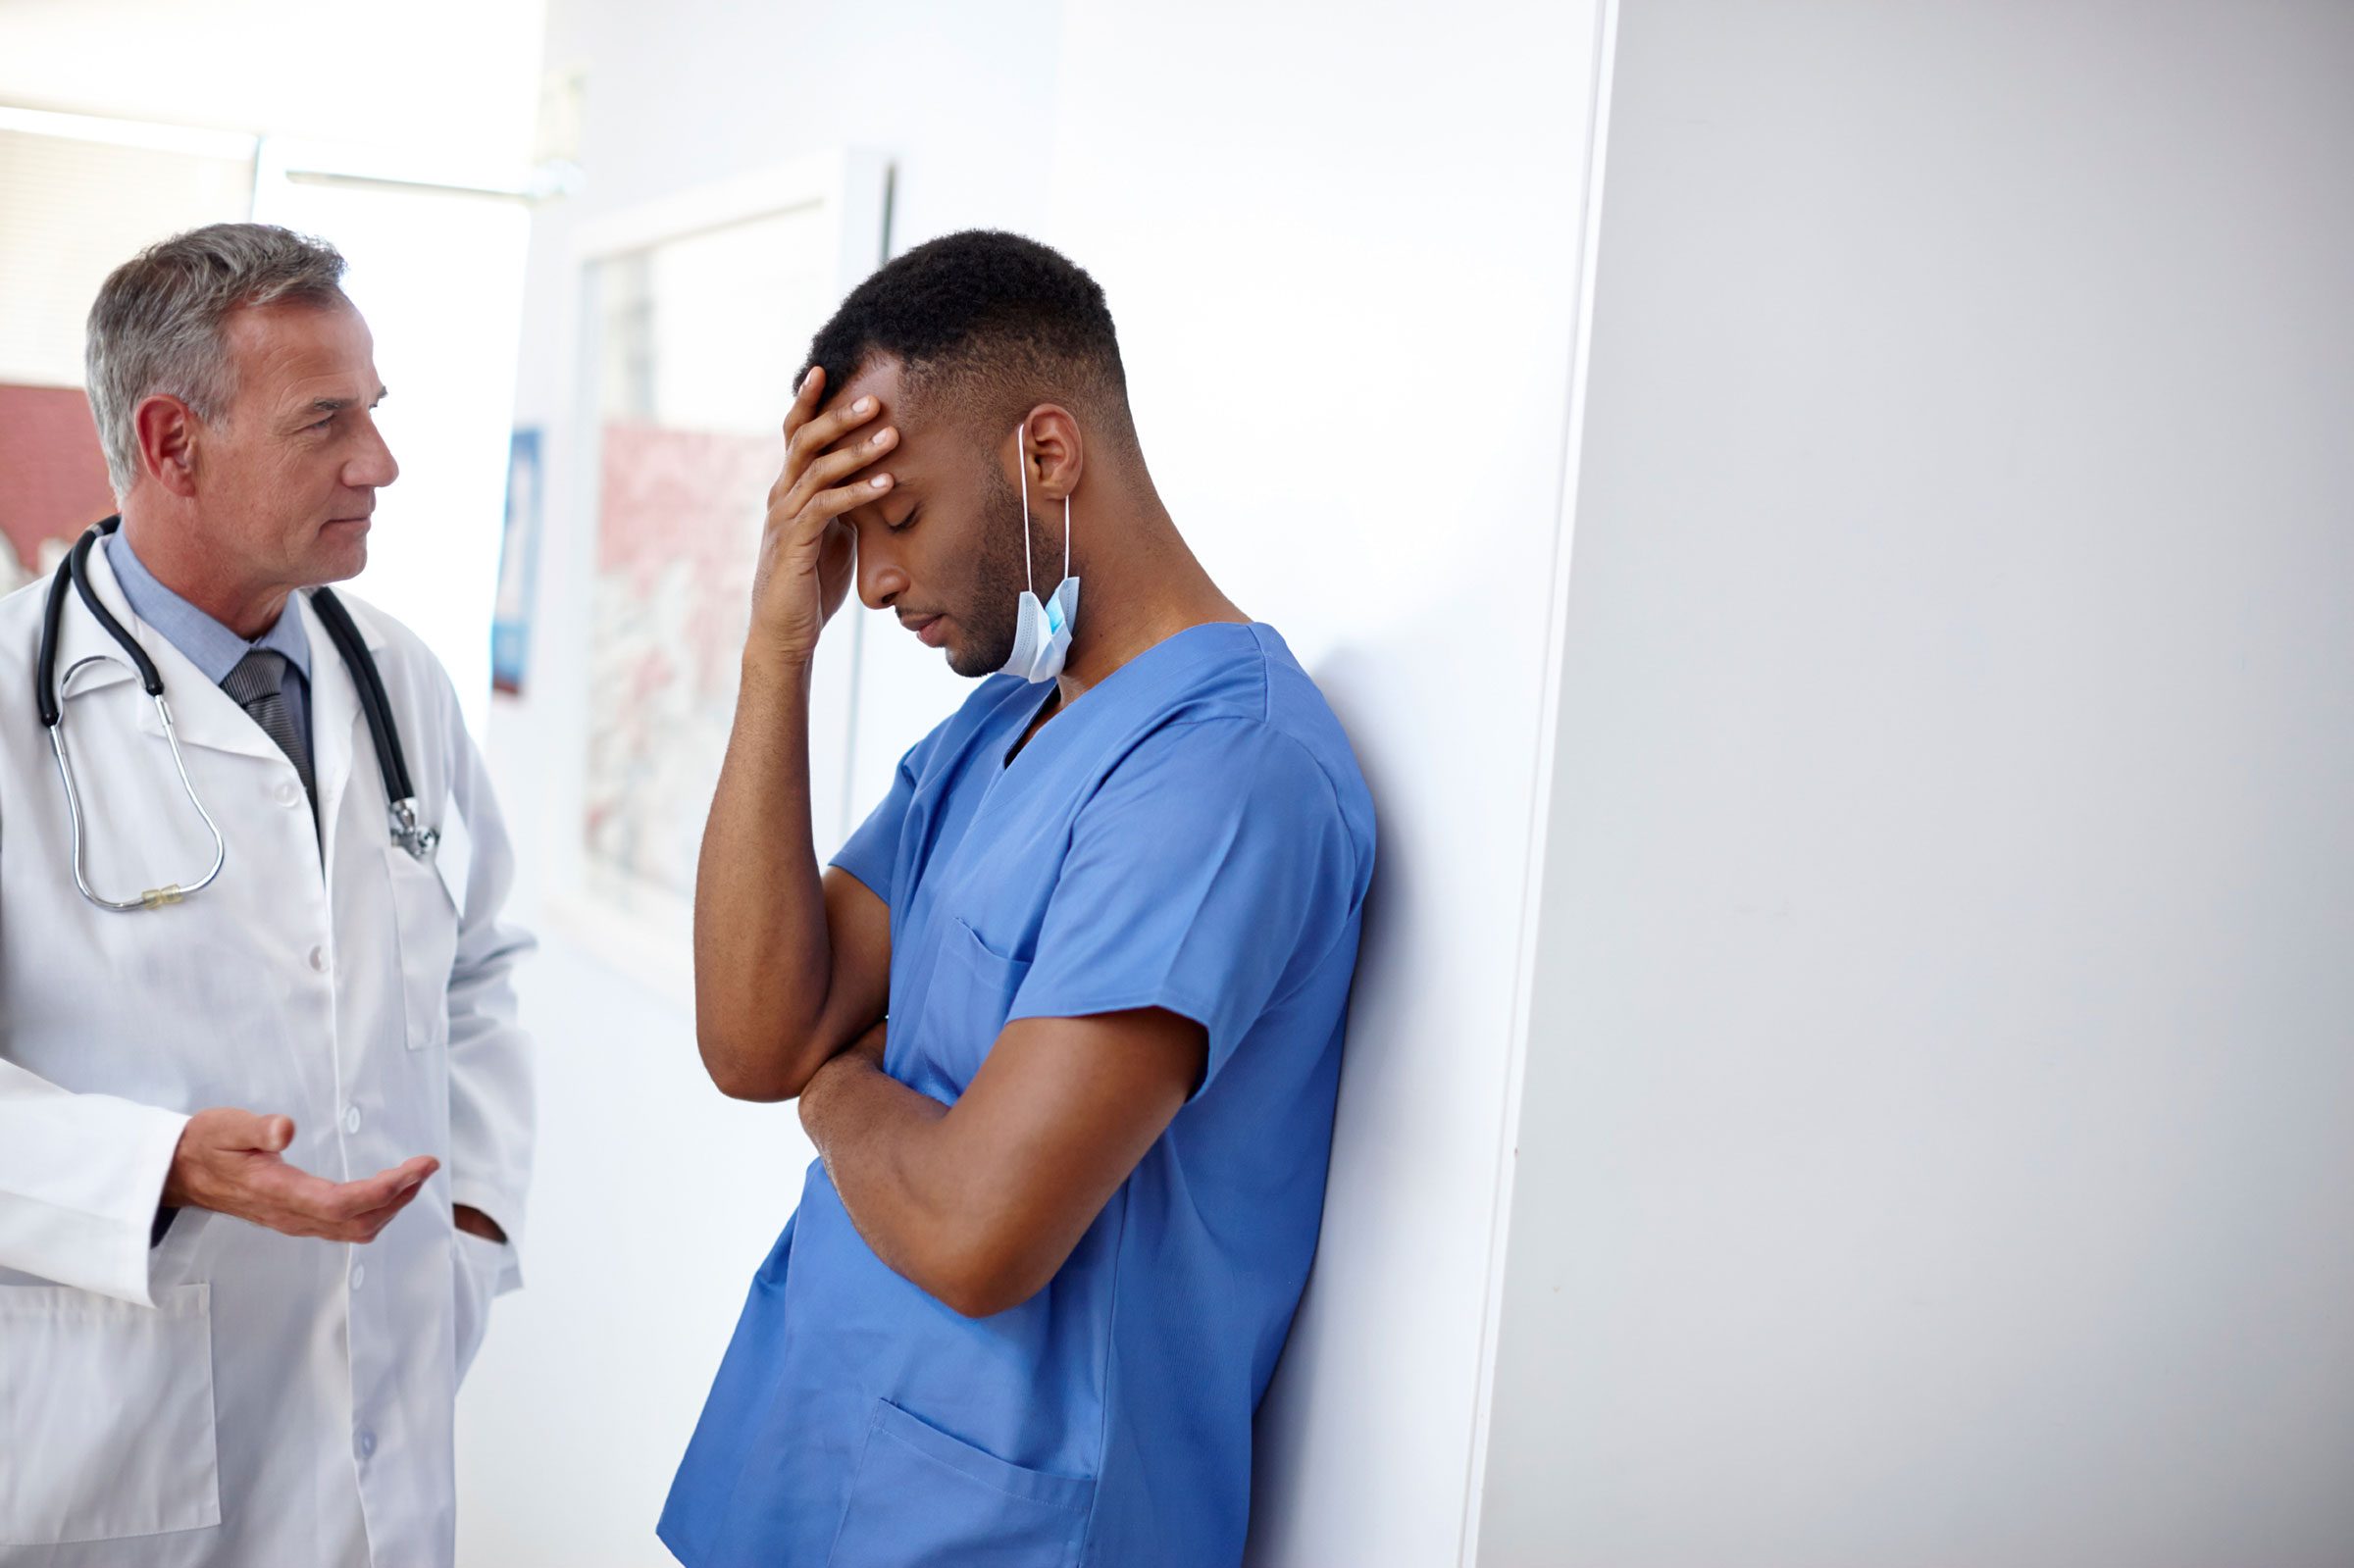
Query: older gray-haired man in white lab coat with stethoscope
{"x":265,"y":1148}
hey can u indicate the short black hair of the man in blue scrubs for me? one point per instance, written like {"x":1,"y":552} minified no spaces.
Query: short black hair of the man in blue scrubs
{"x":992,"y":324}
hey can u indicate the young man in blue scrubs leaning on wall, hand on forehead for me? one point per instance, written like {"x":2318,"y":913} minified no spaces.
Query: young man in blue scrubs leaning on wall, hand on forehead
{"x":1110,"y":910}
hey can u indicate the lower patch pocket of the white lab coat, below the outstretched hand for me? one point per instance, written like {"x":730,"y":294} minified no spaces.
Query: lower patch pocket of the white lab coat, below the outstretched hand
{"x":105,"y":1416}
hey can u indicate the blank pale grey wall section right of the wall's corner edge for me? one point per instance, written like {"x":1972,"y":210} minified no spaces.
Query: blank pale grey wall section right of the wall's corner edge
{"x":1941,"y":1110}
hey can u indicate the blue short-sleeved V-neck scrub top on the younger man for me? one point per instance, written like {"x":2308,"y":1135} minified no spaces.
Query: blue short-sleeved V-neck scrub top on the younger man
{"x":1192,"y":835}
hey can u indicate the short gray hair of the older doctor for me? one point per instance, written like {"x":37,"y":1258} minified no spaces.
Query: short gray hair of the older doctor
{"x":157,"y":326}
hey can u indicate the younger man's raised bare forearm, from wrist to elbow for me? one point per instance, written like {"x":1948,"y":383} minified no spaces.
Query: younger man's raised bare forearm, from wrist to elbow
{"x":762,"y":948}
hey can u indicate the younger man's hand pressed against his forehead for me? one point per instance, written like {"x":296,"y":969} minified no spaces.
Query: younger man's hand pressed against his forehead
{"x":809,"y":545}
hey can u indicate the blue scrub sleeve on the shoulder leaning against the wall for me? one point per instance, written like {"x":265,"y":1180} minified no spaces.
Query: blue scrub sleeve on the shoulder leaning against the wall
{"x":1209,"y":875}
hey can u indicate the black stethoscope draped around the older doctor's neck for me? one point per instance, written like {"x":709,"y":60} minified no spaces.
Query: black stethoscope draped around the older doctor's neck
{"x":51,"y":693}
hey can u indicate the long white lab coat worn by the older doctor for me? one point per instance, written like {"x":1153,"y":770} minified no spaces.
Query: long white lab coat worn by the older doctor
{"x":237,"y":1397}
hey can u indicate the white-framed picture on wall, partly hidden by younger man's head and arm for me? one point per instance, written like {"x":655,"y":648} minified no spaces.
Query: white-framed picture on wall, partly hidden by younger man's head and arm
{"x":698,"y":314}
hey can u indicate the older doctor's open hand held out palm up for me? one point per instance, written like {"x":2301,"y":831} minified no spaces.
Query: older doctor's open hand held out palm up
{"x":230,"y":1162}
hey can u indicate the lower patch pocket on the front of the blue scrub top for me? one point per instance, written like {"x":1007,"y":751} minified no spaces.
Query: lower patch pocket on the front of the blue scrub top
{"x":929,"y":1501}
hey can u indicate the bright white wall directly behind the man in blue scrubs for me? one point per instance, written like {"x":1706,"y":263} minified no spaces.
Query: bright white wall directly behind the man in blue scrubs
{"x":1343,"y":248}
